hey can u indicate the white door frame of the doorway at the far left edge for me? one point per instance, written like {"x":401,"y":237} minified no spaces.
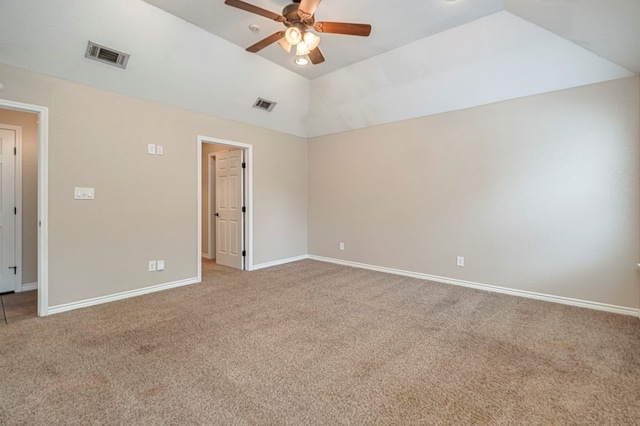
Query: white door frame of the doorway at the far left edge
{"x":43,"y":198}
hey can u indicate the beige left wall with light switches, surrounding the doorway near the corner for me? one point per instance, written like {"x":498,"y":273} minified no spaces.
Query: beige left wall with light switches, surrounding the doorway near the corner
{"x":145,"y":206}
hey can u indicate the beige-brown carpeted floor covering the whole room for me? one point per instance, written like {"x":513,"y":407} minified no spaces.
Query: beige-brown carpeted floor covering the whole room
{"x":316,"y":343}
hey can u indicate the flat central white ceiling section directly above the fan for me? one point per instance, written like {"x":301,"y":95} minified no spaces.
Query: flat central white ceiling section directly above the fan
{"x":394,"y":24}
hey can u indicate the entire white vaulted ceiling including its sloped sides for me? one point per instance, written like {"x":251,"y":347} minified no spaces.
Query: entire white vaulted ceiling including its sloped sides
{"x":423,"y":56}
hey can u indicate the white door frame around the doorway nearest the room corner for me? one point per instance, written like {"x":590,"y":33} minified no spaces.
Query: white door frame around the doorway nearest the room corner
{"x":248,"y":218}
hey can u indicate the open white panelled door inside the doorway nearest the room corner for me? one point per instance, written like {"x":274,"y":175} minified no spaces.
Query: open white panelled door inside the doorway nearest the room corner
{"x":229,"y":204}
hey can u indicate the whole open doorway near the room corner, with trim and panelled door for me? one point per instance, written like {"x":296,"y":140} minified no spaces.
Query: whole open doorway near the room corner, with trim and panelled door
{"x":225,"y":203}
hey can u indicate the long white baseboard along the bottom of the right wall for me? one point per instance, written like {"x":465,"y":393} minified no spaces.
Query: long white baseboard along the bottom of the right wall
{"x":486,"y":287}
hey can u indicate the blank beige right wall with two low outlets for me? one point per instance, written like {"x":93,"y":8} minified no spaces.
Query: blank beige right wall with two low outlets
{"x":538,"y":194}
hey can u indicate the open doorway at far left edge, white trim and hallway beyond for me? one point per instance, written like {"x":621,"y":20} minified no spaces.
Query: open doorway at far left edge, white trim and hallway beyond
{"x":24,"y":129}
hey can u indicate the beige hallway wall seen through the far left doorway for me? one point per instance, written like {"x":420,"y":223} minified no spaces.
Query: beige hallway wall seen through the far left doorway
{"x":29,"y":124}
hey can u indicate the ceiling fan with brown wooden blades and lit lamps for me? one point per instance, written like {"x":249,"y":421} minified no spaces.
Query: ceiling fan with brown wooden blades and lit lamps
{"x":299,"y":19}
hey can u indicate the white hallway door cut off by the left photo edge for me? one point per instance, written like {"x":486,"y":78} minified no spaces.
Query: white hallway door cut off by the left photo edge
{"x":8,"y":139}
